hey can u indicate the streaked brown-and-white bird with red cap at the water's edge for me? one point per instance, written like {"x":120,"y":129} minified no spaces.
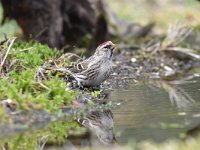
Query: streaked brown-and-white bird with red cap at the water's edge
{"x":96,"y":69}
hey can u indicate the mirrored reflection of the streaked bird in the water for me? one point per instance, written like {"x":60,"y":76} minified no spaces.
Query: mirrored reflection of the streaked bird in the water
{"x":101,"y":124}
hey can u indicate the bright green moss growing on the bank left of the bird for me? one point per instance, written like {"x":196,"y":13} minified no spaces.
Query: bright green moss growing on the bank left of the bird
{"x":20,"y":85}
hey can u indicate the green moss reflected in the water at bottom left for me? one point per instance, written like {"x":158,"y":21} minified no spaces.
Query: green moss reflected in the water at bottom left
{"x":54,"y":133}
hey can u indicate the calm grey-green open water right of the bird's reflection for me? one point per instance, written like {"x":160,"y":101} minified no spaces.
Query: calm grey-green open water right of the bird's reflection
{"x":146,"y":112}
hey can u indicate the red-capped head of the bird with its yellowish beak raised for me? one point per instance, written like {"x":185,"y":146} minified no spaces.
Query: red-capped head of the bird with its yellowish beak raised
{"x":105,"y":49}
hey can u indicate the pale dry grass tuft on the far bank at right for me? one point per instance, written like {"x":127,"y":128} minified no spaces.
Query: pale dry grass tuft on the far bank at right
{"x":175,"y":35}
